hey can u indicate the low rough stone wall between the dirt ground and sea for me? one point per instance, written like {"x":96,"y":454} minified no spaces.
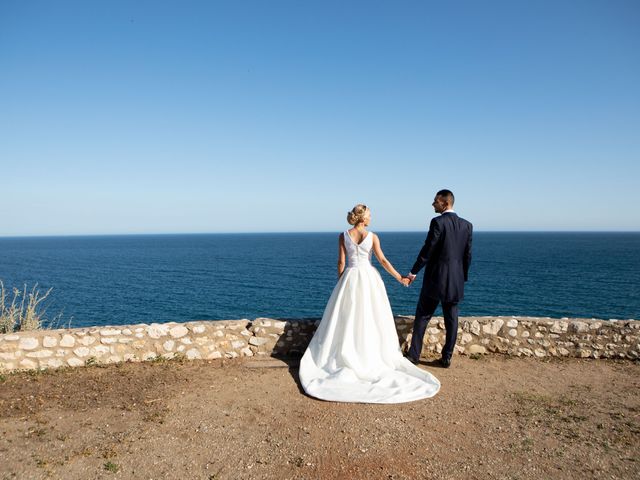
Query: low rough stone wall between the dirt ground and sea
{"x":519,"y":336}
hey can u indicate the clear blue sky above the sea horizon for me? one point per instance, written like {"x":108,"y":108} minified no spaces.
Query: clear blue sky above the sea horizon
{"x":160,"y":117}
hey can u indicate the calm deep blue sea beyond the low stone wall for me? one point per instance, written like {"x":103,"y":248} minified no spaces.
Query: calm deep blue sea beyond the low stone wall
{"x":159,"y":278}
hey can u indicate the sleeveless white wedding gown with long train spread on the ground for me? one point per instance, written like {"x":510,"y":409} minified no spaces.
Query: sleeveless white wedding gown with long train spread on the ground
{"x":354,"y":355}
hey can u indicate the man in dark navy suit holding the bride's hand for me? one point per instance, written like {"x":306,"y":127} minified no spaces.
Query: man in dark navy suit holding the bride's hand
{"x":447,"y":255}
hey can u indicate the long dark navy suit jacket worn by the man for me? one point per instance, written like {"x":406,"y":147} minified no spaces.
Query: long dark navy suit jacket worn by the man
{"x":446,"y":256}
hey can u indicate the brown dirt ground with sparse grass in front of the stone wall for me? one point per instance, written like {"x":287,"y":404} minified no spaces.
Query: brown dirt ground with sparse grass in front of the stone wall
{"x":495,"y":417}
